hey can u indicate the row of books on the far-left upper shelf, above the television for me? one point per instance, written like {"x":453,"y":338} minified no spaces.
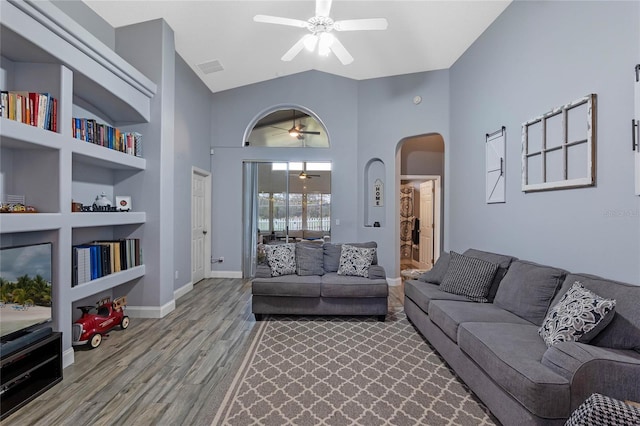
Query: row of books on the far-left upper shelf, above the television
{"x":35,"y":109}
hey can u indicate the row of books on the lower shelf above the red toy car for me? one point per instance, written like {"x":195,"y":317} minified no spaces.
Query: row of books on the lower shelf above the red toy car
{"x":99,"y":258}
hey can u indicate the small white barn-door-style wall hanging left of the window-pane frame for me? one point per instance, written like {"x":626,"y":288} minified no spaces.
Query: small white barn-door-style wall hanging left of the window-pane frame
{"x":495,"y":158}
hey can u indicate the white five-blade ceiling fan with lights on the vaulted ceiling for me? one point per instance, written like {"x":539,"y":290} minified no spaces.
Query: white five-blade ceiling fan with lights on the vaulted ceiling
{"x":321,"y":27}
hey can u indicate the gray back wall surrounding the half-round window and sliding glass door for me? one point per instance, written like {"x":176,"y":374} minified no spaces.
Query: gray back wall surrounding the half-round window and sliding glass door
{"x":333,"y":99}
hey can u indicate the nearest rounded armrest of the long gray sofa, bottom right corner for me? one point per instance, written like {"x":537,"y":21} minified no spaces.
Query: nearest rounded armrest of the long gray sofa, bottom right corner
{"x":594,"y":369}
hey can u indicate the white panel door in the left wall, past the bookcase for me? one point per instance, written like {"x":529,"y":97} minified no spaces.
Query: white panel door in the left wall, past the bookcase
{"x":198,"y":227}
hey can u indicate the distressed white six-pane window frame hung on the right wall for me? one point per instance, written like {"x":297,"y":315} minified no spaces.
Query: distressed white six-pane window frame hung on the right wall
{"x":559,"y":147}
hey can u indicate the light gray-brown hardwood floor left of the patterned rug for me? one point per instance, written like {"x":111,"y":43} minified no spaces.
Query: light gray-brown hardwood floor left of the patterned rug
{"x":158,"y":371}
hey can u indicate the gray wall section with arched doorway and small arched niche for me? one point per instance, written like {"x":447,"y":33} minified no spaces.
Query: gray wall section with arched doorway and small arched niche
{"x":386,"y":116}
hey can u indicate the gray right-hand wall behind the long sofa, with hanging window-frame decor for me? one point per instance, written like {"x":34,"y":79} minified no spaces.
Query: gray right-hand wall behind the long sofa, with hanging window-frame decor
{"x":535,"y":56}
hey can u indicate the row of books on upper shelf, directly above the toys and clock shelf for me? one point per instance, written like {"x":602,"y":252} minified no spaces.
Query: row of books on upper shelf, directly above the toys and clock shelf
{"x":91,"y":131}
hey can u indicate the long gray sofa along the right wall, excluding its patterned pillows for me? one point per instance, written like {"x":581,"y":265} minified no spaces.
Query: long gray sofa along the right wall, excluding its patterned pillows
{"x":496,"y":348}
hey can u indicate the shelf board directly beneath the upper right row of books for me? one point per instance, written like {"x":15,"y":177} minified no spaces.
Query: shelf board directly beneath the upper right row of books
{"x":96,"y":155}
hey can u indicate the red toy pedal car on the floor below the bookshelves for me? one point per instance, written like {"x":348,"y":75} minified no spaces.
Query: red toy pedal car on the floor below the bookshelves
{"x":95,"y":321}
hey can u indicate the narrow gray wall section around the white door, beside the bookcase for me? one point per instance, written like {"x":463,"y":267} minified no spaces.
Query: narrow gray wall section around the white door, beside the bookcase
{"x":192,"y":135}
